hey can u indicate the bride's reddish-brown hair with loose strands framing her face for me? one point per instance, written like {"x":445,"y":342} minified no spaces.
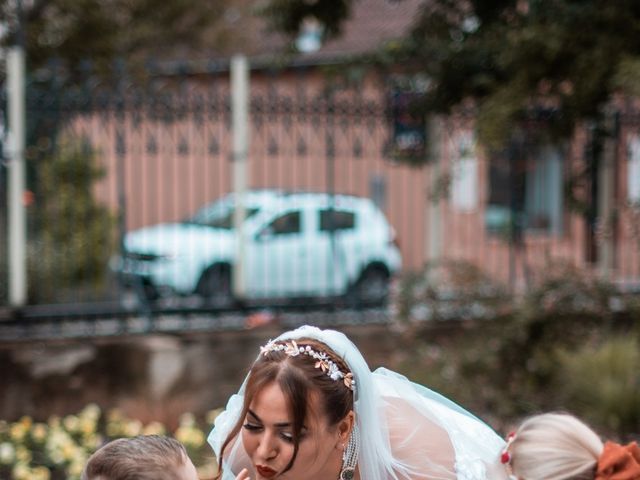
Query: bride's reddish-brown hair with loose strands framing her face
{"x":297,"y":377}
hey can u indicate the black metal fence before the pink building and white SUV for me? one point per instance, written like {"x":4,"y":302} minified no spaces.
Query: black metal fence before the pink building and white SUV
{"x":106,"y":159}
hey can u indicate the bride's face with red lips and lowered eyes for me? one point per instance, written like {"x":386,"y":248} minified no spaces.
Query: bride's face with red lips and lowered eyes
{"x":267,"y":436}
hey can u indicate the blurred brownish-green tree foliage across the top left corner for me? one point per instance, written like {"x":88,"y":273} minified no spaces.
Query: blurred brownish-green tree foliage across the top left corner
{"x":100,"y":30}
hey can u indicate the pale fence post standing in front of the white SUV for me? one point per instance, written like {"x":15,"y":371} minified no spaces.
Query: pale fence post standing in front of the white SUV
{"x":240,"y":130}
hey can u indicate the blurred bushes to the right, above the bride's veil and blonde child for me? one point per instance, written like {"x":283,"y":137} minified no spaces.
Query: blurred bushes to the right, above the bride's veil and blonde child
{"x":572,"y":343}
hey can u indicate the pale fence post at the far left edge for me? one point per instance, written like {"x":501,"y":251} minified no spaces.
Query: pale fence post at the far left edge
{"x":17,"y":214}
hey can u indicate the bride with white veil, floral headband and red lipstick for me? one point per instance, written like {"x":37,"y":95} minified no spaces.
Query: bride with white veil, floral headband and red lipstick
{"x":310,"y":408}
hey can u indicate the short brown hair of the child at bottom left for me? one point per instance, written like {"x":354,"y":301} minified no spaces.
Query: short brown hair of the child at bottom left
{"x":146,"y":457}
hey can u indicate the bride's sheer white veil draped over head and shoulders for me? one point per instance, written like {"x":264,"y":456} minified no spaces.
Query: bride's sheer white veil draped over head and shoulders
{"x":407,"y":431}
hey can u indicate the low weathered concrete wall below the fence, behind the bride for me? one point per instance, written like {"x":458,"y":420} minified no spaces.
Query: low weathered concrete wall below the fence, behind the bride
{"x":149,"y":378}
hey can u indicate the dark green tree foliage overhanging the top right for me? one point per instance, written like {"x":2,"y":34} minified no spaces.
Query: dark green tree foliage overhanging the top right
{"x":563,"y":59}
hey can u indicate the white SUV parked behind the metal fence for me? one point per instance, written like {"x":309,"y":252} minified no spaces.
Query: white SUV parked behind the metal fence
{"x":295,"y":245}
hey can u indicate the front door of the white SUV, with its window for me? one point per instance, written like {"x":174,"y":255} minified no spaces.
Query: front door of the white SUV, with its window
{"x":278,"y":255}
